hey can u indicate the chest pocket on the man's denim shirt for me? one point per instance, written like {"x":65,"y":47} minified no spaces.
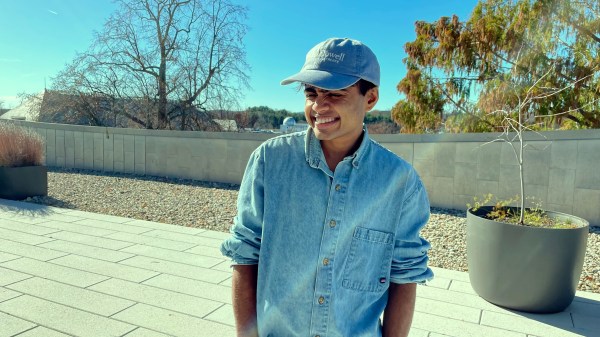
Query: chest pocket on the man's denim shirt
{"x":369,"y":260}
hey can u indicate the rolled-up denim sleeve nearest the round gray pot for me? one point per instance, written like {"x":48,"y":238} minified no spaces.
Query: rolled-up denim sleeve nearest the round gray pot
{"x":409,"y":261}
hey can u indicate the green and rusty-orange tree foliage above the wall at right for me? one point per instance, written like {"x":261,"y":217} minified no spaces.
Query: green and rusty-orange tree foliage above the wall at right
{"x":460,"y":72}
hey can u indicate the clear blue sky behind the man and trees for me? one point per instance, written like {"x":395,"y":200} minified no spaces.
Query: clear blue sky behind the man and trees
{"x":38,"y":37}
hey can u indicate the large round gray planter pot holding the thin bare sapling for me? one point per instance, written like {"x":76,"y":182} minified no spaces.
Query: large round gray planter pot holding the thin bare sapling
{"x":525,"y":268}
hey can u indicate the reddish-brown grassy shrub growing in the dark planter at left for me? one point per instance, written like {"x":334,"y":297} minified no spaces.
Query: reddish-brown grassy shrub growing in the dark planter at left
{"x":20,"y":146}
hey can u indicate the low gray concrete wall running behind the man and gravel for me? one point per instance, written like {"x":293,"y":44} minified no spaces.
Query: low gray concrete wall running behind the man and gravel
{"x":562,"y":168}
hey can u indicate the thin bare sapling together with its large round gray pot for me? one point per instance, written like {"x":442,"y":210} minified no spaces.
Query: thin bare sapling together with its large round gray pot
{"x":519,"y":257}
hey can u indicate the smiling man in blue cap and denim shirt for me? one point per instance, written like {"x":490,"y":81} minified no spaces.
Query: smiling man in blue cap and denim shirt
{"x":327,"y":232}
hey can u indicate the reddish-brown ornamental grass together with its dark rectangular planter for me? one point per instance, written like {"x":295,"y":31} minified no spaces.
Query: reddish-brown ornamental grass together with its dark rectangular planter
{"x":22,"y":173}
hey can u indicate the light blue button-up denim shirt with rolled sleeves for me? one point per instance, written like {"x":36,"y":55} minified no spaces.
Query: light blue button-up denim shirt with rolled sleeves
{"x":328,"y":244}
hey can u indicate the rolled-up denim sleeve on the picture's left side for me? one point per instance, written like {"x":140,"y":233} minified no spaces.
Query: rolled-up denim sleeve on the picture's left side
{"x":243,"y":247}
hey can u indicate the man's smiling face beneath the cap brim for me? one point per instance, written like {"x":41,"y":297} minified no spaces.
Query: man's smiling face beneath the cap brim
{"x":337,"y":116}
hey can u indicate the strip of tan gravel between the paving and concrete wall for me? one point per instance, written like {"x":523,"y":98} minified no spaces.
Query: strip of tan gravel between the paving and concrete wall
{"x":213,"y":205}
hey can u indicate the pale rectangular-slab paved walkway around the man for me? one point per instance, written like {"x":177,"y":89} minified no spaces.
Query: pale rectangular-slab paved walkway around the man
{"x":73,"y":273}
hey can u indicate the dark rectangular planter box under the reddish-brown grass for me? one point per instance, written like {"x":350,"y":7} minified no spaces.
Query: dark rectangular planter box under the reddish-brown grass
{"x":18,"y":183}
